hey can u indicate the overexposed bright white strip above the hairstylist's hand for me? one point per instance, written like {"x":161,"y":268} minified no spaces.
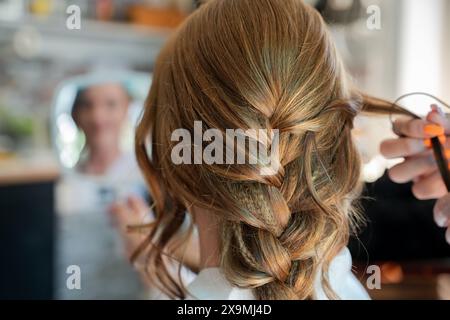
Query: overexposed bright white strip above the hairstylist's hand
{"x":423,"y":54}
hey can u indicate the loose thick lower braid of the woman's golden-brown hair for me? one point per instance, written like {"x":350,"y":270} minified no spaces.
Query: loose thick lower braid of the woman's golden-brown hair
{"x":280,"y":254}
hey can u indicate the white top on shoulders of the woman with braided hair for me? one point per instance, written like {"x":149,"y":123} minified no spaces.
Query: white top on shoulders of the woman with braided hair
{"x":211,"y":284}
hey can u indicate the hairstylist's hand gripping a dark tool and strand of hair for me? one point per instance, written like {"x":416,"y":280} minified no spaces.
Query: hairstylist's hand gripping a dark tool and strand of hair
{"x":414,"y":145}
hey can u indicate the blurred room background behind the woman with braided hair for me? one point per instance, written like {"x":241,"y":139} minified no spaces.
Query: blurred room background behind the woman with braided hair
{"x":67,"y":95}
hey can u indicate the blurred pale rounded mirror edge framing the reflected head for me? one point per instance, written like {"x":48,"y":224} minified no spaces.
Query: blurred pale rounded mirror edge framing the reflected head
{"x":68,"y":139}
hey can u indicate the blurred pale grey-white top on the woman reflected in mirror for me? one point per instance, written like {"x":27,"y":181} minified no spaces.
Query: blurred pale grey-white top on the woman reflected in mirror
{"x":86,"y":237}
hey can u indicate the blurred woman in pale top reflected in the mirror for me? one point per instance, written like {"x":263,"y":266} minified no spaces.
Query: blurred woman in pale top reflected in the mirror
{"x":104,"y":175}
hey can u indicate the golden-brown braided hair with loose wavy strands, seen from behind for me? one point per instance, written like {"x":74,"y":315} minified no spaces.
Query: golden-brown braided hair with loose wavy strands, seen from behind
{"x":256,"y":64}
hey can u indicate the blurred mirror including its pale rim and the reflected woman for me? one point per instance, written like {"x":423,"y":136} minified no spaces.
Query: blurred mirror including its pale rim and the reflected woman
{"x":94,"y":119}
